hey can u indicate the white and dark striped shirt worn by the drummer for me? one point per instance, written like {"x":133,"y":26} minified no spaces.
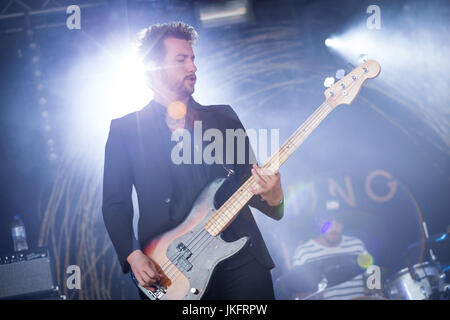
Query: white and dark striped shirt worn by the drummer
{"x":311,"y":251}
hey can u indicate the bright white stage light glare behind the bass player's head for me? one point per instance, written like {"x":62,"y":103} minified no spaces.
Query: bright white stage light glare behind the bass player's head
{"x":103,"y":87}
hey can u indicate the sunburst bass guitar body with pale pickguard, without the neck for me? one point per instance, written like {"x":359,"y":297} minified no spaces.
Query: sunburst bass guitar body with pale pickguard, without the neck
{"x":187,"y":255}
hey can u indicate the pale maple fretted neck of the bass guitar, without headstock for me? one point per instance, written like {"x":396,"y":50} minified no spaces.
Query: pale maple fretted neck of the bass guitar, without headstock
{"x":229,"y":210}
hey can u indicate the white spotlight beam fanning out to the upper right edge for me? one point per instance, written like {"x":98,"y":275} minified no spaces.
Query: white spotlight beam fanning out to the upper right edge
{"x":409,"y":50}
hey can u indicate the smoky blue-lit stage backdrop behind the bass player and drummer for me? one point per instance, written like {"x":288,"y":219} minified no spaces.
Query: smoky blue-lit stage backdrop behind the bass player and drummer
{"x":385,"y":157}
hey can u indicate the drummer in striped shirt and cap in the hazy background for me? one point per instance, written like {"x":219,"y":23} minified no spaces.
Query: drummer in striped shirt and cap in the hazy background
{"x":331,"y":242}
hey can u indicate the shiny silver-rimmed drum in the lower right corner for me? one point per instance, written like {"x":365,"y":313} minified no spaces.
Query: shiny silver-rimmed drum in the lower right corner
{"x":421,"y":282}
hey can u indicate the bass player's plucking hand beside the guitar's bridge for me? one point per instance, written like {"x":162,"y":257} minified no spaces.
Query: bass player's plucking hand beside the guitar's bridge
{"x":144,"y":269}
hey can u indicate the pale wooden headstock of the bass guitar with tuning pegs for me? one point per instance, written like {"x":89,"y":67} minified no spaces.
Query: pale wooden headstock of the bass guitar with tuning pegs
{"x":345,"y":90}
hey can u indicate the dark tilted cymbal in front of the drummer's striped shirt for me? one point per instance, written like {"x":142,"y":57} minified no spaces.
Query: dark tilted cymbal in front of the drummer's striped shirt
{"x":305,"y":278}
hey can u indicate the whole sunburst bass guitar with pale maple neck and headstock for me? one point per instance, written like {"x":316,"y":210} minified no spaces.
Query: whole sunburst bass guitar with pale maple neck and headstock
{"x":187,"y":255}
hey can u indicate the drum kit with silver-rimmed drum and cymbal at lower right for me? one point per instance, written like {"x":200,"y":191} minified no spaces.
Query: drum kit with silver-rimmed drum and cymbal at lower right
{"x":420,"y":281}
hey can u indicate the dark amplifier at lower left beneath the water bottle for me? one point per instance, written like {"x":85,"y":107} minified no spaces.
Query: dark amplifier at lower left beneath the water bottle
{"x":26,"y":274}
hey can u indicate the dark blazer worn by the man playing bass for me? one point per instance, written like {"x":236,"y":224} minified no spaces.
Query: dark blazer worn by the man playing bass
{"x":137,"y":153}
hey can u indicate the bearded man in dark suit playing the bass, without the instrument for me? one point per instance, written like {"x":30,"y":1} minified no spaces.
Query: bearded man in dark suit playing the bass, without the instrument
{"x":139,"y":152}
